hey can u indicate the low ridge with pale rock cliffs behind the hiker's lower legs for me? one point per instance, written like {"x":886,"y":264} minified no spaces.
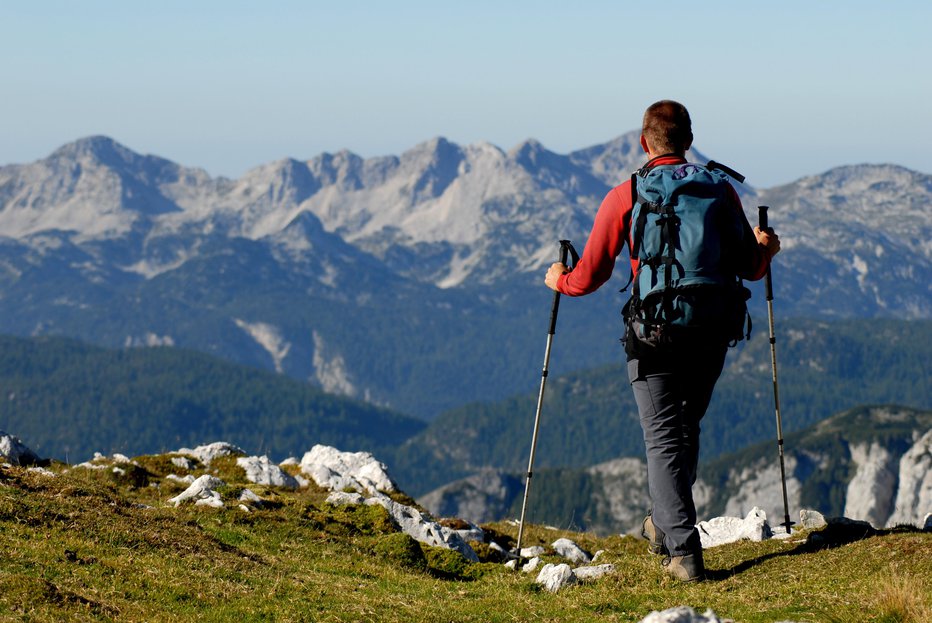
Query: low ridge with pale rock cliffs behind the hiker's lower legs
{"x":868,"y":463}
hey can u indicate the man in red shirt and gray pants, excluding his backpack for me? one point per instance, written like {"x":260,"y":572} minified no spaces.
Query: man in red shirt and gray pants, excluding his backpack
{"x":672,"y":386}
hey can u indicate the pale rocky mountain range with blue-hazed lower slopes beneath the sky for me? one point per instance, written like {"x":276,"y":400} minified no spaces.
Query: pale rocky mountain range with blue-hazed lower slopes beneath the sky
{"x":410,"y":281}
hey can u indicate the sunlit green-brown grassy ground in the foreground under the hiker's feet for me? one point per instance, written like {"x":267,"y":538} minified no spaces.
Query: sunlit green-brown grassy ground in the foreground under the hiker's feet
{"x":86,"y":546}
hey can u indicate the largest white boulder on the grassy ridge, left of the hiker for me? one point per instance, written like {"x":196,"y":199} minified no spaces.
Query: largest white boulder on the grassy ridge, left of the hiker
{"x":337,"y":471}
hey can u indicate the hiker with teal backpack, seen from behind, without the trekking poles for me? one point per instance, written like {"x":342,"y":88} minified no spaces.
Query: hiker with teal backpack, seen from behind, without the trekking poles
{"x":673,"y":369}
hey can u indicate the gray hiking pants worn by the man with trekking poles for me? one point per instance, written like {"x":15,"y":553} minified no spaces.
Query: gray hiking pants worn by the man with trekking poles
{"x":672,"y":395}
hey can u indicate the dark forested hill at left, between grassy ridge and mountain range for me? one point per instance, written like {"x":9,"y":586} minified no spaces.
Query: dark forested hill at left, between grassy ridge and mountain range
{"x":71,"y":400}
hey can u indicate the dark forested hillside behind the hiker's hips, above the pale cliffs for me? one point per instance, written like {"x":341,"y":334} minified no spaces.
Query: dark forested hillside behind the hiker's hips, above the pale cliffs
{"x":590,"y":416}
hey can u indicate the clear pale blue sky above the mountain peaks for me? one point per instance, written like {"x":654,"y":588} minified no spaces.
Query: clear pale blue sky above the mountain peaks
{"x":778,"y":90}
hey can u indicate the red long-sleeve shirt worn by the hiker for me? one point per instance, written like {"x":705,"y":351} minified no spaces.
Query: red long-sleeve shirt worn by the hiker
{"x":612,"y":230}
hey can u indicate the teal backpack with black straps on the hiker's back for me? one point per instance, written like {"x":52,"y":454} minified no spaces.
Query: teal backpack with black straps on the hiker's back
{"x":685,"y":234}
